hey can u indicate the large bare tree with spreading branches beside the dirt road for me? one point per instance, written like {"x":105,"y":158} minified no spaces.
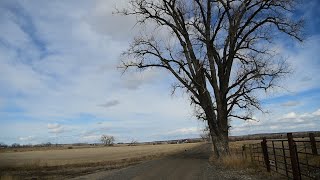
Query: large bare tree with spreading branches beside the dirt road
{"x":219,"y":51}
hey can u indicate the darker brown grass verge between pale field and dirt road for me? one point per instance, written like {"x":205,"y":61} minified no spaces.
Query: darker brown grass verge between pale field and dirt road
{"x":38,"y":170}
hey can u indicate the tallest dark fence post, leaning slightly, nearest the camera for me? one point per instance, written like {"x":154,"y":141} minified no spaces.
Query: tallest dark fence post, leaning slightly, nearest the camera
{"x":293,"y":157}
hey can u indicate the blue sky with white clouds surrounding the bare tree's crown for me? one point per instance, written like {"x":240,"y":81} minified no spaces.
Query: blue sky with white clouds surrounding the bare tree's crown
{"x":59,"y":80}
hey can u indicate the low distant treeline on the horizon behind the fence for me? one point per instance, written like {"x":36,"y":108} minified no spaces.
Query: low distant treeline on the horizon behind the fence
{"x":273,"y":136}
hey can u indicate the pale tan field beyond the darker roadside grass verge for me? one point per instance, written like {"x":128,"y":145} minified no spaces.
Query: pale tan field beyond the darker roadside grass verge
{"x":80,"y":156}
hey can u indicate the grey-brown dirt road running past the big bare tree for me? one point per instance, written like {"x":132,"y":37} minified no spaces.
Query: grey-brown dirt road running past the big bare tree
{"x":191,"y":164}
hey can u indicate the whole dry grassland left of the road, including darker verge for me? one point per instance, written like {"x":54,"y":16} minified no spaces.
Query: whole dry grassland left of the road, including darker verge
{"x":67,"y":163}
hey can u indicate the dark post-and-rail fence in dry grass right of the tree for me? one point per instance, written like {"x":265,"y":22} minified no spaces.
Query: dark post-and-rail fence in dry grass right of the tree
{"x":295,"y":159}
